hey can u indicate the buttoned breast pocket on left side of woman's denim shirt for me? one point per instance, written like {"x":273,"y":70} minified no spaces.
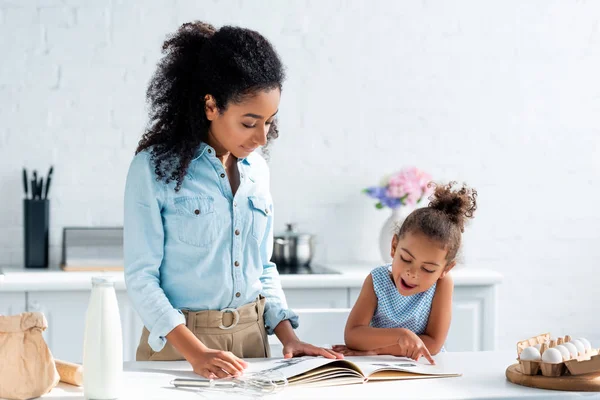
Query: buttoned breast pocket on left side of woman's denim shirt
{"x":197,"y":220}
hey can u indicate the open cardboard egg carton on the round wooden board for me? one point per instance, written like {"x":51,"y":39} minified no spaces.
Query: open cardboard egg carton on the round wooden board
{"x":585,"y":363}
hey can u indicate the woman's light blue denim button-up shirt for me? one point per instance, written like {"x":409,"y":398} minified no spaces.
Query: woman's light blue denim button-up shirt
{"x":200,"y":248}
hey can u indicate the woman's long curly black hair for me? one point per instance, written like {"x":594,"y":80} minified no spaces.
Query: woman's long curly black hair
{"x":229,"y":63}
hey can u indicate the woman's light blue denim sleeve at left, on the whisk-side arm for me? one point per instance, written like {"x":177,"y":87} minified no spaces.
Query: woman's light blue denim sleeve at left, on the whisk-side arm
{"x":143,"y":246}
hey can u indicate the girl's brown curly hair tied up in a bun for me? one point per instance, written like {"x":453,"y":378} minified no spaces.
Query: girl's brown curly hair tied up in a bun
{"x":445,"y":217}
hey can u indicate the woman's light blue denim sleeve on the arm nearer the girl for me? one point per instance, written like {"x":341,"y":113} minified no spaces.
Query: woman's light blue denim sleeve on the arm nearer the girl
{"x":276,"y":309}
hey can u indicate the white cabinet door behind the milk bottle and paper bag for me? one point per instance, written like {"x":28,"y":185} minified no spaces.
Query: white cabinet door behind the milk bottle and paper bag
{"x":65,"y":313}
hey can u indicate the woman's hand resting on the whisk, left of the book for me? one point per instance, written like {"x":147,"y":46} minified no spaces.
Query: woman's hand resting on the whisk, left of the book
{"x":213,"y":364}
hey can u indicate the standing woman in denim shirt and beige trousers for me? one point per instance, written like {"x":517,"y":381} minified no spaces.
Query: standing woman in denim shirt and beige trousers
{"x":198,"y":224}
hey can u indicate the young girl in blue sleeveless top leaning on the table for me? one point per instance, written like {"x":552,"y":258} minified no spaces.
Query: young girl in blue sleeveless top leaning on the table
{"x":404,"y":309}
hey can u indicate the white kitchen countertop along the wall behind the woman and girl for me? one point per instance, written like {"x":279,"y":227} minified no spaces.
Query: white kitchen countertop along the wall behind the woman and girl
{"x":352,"y":275}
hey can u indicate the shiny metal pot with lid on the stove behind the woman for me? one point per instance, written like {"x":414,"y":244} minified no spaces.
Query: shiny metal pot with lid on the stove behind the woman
{"x":292,"y":248}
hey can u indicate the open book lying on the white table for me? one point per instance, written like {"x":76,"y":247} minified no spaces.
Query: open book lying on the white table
{"x":319,"y":371}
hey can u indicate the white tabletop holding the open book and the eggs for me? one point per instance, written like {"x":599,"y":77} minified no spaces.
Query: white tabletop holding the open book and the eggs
{"x":483,"y":378}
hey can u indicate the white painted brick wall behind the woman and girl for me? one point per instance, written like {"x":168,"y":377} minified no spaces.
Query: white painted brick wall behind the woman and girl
{"x":503,"y":95}
